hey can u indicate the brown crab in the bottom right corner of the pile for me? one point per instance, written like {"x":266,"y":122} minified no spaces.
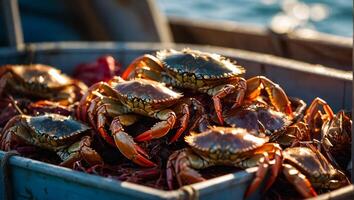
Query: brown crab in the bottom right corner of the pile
{"x":306,"y":168}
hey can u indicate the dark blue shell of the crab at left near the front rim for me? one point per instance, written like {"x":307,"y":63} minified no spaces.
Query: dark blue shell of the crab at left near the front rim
{"x":53,"y":131}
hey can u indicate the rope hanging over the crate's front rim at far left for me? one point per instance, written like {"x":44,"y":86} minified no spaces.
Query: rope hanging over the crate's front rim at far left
{"x":6,"y":174}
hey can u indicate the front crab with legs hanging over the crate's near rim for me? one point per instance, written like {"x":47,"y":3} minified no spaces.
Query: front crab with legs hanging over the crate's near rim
{"x":224,"y":146}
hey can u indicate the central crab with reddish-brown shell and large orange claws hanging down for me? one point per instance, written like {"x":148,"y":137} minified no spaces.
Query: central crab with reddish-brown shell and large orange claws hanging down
{"x":124,"y":100}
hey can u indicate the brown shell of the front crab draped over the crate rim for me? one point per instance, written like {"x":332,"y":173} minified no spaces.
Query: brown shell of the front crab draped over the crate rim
{"x":224,"y":144}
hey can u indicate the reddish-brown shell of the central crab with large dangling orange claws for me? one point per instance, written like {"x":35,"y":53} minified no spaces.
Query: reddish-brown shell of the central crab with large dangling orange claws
{"x":144,"y":95}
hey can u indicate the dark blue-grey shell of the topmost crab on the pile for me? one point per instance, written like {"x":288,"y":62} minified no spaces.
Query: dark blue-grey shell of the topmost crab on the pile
{"x":190,"y":66}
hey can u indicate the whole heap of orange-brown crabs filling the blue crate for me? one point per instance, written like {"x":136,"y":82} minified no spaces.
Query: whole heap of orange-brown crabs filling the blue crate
{"x":172,"y":119}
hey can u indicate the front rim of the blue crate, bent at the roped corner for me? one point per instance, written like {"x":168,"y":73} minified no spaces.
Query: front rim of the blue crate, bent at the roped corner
{"x":123,"y":186}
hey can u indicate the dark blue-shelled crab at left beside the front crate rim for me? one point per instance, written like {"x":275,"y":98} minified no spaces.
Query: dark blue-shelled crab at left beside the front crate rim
{"x":53,"y":132}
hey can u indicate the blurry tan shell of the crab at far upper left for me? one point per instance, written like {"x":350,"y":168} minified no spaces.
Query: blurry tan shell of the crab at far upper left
{"x":43,"y":75}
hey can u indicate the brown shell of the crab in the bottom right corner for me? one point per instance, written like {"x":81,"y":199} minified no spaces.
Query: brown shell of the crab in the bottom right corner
{"x":312,"y":164}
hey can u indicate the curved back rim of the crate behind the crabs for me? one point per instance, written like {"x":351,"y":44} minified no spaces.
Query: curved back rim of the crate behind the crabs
{"x":31,"y":49}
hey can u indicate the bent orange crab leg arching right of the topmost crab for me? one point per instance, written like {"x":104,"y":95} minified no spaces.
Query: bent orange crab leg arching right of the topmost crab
{"x":276,"y":94}
